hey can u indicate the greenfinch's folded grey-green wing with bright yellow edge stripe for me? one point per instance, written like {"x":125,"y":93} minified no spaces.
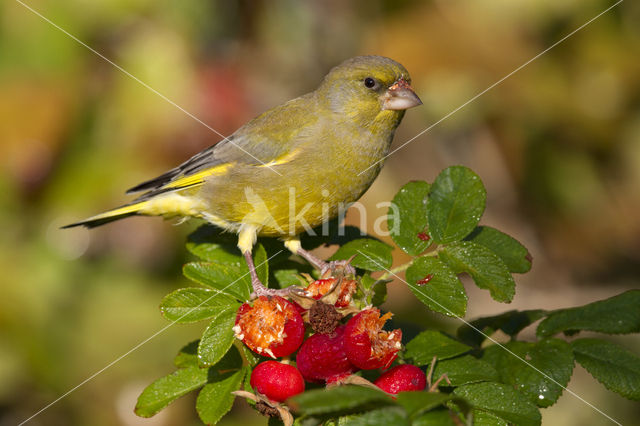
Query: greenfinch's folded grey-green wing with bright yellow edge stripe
{"x":268,"y":140}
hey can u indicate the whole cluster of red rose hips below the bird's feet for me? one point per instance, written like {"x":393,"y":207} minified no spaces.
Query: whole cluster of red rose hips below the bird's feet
{"x":275,"y":327}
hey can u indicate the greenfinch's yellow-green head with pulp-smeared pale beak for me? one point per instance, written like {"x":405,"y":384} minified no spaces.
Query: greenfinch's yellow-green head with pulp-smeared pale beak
{"x":369,"y":90}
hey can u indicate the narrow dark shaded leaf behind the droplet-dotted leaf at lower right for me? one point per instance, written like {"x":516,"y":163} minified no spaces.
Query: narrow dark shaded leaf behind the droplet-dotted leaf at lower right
{"x":511,"y":323}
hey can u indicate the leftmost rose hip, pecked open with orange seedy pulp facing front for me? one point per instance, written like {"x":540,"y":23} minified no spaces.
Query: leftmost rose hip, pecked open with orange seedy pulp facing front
{"x":271,"y":327}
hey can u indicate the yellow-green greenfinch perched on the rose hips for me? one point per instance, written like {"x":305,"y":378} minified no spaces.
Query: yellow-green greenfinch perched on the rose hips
{"x":289,"y":169}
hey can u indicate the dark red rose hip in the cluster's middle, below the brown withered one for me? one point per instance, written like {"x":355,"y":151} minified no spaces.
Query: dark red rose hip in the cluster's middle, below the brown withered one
{"x":321,"y":357}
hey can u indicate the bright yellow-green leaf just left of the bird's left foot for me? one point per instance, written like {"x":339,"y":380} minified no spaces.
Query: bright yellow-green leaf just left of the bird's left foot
{"x":230,"y":278}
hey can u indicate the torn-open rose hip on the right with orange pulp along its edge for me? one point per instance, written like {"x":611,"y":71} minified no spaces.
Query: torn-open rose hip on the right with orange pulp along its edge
{"x":368,"y":346}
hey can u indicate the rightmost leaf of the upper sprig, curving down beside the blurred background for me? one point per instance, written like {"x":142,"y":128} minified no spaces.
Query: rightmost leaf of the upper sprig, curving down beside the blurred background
{"x":514,"y":255}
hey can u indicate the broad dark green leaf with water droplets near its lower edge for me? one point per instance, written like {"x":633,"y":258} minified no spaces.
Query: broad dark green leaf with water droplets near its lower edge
{"x":553,"y":357}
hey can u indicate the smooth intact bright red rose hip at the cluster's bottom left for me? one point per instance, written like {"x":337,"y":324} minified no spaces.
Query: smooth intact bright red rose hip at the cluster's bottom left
{"x":277,"y":381}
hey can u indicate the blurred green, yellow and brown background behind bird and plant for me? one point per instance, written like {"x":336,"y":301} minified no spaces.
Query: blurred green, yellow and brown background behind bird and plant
{"x":557,"y":145}
